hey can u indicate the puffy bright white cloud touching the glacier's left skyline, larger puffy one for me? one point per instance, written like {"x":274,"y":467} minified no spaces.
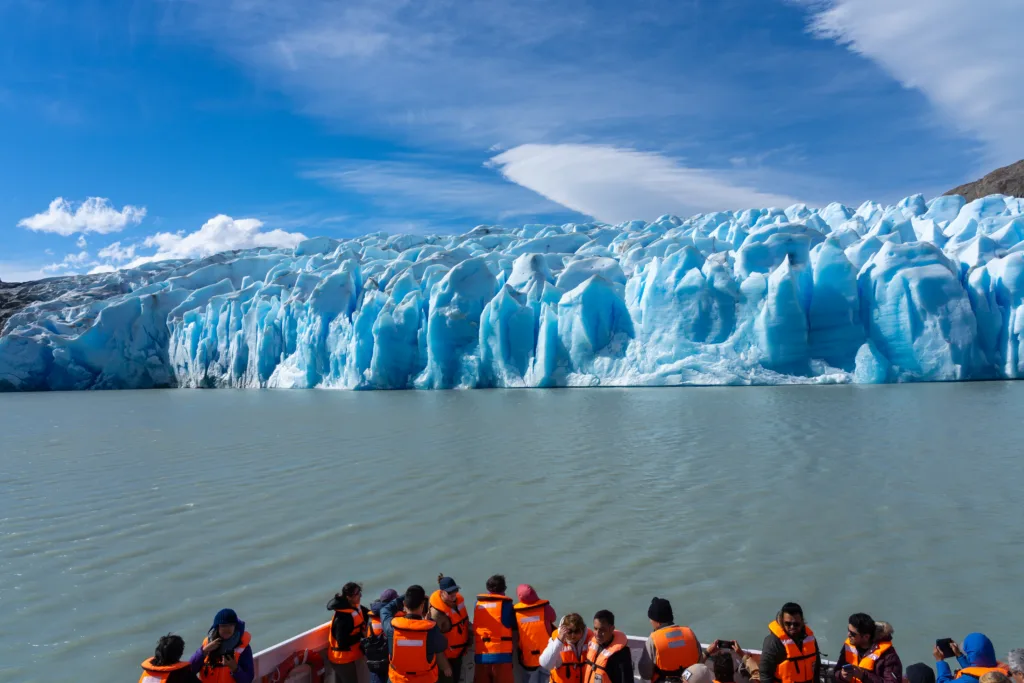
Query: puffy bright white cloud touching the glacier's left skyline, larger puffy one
{"x":218,"y":235}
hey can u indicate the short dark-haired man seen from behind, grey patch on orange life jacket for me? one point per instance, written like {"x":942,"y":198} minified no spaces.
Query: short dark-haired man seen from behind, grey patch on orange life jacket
{"x":415,"y":644}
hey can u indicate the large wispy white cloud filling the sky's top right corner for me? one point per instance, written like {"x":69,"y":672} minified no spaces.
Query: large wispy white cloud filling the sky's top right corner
{"x":964,"y":57}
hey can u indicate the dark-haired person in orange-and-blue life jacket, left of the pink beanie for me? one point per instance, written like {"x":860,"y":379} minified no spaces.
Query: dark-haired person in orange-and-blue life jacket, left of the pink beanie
{"x":494,"y":621}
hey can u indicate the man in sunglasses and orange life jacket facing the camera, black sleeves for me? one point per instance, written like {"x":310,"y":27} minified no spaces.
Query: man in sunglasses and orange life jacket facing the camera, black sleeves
{"x":790,"y":653}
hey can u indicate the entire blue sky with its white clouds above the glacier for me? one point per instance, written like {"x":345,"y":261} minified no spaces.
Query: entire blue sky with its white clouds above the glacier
{"x":199,"y":125}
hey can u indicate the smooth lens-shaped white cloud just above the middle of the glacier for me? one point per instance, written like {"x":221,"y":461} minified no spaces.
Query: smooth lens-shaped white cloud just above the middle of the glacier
{"x":614,"y":185}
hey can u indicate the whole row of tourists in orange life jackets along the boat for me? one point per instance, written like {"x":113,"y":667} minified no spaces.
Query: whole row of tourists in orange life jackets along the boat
{"x":421,"y":638}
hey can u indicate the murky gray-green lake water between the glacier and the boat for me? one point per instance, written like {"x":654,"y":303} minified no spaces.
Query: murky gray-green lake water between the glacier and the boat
{"x":125,"y":516}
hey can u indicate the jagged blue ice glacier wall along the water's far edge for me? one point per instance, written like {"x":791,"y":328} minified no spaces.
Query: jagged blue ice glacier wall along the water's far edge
{"x":918,"y":291}
